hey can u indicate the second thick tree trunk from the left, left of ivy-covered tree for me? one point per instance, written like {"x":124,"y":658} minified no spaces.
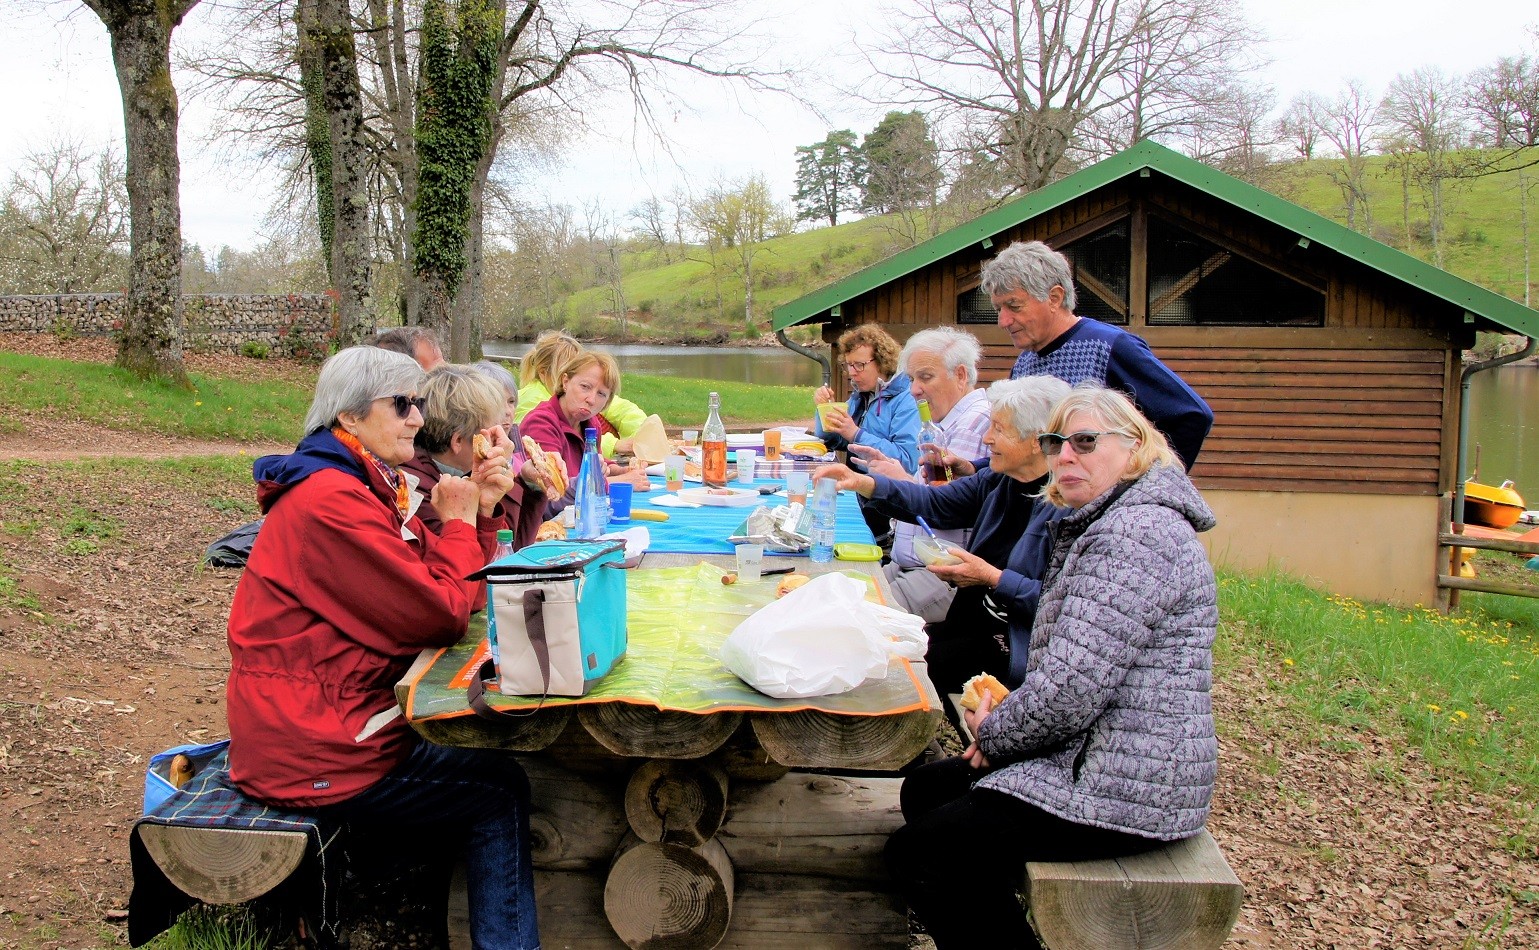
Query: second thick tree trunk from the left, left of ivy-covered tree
{"x":329,"y":25}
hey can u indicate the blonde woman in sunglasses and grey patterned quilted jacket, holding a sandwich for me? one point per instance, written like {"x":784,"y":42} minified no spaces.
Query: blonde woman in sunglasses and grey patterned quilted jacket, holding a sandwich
{"x":1107,"y":748}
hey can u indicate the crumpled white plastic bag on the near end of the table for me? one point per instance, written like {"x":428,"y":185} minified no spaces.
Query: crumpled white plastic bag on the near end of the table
{"x":821,"y":640}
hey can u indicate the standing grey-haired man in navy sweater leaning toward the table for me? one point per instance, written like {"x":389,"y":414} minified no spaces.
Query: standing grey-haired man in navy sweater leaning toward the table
{"x":1033,"y":289}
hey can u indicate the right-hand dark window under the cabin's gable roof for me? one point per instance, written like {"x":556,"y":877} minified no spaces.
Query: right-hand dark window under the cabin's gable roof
{"x":1195,"y":283}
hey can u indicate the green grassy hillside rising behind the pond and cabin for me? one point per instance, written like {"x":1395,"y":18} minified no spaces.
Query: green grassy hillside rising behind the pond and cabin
{"x":1484,"y":244}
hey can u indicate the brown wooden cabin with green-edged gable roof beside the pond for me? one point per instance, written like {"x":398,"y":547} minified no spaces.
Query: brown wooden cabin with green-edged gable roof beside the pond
{"x":1332,"y":361}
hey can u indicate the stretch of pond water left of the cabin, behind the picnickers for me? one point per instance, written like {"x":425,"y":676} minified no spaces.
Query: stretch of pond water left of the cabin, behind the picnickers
{"x":761,"y":366}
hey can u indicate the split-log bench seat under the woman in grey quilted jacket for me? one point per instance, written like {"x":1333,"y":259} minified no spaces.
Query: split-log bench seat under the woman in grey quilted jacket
{"x":1181,"y":897}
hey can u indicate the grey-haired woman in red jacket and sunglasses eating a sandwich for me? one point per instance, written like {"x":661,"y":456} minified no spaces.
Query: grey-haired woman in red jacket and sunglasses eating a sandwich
{"x":344,"y":589}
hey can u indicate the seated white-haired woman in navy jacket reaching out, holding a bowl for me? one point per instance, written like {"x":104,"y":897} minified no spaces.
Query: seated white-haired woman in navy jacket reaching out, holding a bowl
{"x":998,"y":575}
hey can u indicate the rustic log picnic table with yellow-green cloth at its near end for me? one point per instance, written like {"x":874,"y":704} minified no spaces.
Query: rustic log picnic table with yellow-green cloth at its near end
{"x":689,"y":823}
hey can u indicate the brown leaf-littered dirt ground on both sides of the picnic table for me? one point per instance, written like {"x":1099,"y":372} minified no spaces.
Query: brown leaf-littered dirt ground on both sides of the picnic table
{"x":113,"y":654}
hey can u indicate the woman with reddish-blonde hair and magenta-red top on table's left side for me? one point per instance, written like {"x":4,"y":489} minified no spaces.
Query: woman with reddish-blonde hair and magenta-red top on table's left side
{"x":586,"y":387}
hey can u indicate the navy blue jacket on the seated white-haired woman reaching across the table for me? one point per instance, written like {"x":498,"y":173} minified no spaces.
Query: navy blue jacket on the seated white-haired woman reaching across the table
{"x":1012,"y":534}
